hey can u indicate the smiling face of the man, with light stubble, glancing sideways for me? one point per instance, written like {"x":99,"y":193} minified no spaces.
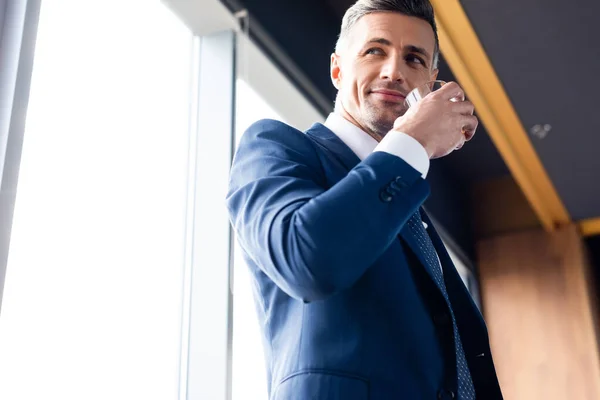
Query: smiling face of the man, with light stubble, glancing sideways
{"x":385,"y":56}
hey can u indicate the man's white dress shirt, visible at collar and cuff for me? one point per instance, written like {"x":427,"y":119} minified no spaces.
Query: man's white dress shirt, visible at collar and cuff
{"x":397,"y":143}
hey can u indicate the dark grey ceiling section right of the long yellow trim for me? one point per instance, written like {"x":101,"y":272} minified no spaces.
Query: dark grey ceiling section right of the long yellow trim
{"x":542,"y":60}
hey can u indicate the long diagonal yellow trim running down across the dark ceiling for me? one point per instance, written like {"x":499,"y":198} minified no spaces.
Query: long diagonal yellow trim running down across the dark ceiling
{"x":472,"y":68}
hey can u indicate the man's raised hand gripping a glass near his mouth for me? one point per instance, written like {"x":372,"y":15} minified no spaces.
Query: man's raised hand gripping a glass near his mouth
{"x":442,"y":121}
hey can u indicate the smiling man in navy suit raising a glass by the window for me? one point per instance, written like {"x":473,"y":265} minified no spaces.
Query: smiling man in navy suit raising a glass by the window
{"x":356,"y":298}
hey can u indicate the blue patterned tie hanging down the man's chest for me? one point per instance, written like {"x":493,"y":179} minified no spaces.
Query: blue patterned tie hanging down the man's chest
{"x":466,"y":390}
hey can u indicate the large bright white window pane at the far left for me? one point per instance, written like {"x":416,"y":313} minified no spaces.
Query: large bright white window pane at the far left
{"x":92,"y":300}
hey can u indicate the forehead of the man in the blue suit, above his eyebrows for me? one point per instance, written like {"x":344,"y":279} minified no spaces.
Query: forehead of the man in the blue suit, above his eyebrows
{"x":401,"y":30}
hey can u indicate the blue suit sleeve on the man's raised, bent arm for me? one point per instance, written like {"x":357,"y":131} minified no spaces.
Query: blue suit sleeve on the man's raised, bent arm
{"x":314,"y":241}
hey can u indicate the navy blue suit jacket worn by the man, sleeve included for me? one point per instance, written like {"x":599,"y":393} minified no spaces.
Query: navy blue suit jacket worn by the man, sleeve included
{"x":347,"y":309}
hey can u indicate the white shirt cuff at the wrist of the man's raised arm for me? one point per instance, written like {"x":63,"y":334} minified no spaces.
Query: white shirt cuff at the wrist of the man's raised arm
{"x":407,"y":148}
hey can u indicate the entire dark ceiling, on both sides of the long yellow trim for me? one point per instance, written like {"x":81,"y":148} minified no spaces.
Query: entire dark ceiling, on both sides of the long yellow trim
{"x":540,"y":51}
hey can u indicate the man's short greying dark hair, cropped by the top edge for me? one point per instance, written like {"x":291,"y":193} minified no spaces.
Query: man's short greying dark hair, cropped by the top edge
{"x":421,"y":9}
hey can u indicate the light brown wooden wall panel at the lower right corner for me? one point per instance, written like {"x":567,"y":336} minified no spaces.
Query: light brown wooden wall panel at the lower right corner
{"x":541,"y":317}
